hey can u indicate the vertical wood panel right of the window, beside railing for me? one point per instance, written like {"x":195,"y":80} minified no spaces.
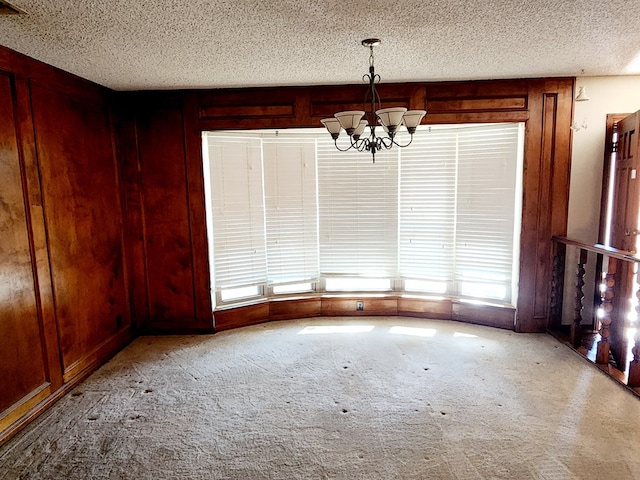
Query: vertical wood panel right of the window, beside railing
{"x":545,"y":197}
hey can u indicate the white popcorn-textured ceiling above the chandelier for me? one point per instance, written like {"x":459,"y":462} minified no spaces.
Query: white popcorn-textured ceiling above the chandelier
{"x":166,"y":44}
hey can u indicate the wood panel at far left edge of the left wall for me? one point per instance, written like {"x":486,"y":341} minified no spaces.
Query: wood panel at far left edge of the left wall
{"x":23,"y":369}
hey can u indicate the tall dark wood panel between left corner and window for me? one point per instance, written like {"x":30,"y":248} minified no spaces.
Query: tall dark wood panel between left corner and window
{"x":166,"y":217}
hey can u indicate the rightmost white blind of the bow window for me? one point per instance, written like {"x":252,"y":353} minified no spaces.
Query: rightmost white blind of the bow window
{"x":487,"y":166}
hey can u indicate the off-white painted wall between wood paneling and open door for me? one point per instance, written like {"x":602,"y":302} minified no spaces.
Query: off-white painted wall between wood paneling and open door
{"x":607,"y":95}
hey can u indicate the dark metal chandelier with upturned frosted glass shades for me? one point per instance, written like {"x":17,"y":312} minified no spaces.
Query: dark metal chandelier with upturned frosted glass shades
{"x":389,"y":119}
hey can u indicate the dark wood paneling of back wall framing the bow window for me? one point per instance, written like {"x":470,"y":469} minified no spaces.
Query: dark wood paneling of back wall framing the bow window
{"x":168,"y":155}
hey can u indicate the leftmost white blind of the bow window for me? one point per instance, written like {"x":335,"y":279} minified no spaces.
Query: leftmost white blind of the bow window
{"x":237,"y":201}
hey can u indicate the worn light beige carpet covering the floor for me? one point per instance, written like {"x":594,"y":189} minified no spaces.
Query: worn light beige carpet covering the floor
{"x":400,"y":399}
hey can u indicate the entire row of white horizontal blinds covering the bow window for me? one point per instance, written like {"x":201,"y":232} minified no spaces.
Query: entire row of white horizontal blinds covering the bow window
{"x":442,"y":214}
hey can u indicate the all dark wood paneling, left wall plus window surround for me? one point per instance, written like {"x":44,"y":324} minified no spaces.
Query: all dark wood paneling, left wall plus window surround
{"x":103,"y":220}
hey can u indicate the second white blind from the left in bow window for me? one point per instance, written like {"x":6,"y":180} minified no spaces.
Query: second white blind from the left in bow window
{"x":290,"y":209}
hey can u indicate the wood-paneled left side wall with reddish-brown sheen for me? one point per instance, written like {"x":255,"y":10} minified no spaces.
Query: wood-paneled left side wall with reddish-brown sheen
{"x":63,"y":283}
